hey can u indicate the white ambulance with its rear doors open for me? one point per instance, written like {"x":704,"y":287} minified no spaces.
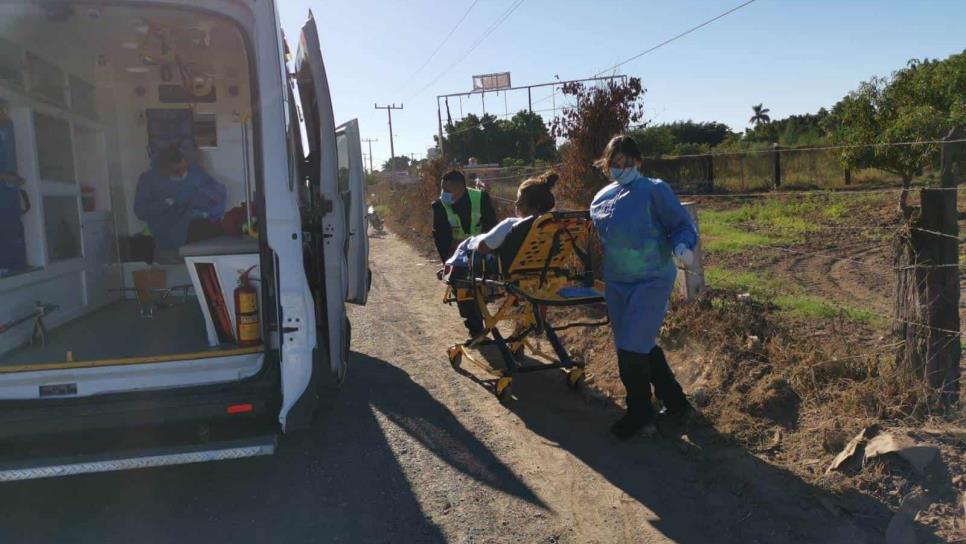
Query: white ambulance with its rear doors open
{"x":185,"y":233}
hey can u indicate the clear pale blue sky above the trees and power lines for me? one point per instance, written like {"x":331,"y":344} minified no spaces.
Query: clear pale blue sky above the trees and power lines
{"x":795,"y":56}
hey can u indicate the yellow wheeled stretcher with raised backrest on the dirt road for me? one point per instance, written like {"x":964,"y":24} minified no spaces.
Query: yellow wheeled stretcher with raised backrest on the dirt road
{"x":552,"y":268}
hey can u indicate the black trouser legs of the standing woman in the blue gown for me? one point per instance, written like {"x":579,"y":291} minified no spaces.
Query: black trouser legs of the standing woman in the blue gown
{"x":639,"y":371}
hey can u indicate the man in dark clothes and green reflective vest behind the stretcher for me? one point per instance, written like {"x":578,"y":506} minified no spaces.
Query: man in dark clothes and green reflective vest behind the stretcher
{"x":459,"y":213}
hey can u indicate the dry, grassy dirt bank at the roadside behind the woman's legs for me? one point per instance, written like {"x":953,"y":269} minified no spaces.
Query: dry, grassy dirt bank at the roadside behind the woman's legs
{"x":796,"y":399}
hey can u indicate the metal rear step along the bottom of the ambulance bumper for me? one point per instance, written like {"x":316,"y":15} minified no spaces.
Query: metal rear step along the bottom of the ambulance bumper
{"x":134,"y":459}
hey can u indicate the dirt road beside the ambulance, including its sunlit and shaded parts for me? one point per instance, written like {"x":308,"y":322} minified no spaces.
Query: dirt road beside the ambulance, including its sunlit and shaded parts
{"x":412,"y":452}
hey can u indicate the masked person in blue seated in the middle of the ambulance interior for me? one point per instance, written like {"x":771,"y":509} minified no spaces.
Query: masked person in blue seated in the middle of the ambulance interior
{"x":180,"y":203}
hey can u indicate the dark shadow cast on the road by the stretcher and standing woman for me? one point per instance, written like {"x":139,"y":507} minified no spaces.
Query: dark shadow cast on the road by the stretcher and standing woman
{"x":701,"y":487}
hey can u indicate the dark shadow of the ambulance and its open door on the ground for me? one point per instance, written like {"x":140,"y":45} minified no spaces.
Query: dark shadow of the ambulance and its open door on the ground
{"x":337,"y":481}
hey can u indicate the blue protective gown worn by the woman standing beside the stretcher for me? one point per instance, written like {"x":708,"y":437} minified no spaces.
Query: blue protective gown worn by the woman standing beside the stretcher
{"x":639,"y":224}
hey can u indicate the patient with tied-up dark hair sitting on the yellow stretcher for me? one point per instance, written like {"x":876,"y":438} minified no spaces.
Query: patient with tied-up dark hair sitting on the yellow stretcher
{"x":534,"y":198}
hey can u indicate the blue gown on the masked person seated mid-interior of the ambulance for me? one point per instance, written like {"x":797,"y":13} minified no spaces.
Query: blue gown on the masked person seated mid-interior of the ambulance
{"x":196,"y":196}
